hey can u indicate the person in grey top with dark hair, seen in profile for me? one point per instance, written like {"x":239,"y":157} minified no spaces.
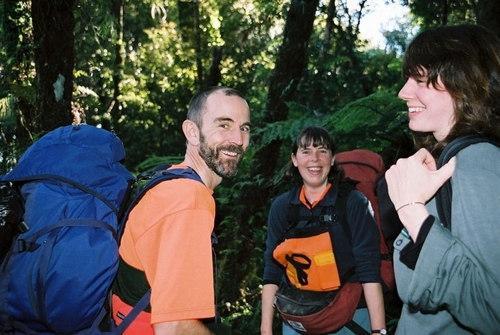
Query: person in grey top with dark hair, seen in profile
{"x":449,"y":277}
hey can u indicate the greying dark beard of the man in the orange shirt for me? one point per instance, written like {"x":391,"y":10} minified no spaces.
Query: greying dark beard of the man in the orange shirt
{"x":224,"y":168}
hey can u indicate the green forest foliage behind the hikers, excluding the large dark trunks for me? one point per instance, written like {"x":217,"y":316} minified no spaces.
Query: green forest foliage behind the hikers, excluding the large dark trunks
{"x":136,"y":76}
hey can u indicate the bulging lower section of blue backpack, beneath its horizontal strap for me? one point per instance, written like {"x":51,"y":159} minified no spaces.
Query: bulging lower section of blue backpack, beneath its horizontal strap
{"x":60,"y":277}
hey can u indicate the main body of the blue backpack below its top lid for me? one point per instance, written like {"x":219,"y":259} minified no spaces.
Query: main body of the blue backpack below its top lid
{"x":60,"y":270}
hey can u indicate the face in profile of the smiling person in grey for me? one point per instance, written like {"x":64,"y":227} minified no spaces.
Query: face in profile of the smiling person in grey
{"x":430,"y":109}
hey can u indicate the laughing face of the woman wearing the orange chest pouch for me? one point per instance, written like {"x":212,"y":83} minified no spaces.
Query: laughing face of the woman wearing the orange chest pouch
{"x":314,"y":164}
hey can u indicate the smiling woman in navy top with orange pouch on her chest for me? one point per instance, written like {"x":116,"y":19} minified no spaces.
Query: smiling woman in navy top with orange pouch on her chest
{"x":319,"y":184}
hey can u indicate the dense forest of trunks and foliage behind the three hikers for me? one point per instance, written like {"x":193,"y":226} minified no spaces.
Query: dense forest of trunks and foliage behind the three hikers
{"x":132,"y":66}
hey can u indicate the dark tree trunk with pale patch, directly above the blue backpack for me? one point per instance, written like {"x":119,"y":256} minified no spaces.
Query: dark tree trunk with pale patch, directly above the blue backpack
{"x":53,"y":25}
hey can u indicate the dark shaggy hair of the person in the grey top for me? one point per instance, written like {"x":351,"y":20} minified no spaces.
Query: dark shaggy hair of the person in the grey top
{"x":467,"y":60}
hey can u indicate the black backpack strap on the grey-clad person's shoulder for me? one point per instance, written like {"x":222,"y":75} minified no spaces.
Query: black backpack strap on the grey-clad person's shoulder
{"x":444,"y":194}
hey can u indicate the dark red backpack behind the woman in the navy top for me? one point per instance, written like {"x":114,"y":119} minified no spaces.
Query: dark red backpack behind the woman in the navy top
{"x":367,"y":167}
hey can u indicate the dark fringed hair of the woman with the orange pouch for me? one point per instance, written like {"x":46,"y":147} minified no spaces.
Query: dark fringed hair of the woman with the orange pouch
{"x":315,"y":136}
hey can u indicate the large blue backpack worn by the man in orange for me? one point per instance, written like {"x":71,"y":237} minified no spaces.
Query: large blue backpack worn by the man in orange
{"x":57,"y":274}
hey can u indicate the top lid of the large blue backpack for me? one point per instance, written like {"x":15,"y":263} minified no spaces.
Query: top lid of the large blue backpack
{"x":78,"y":154}
